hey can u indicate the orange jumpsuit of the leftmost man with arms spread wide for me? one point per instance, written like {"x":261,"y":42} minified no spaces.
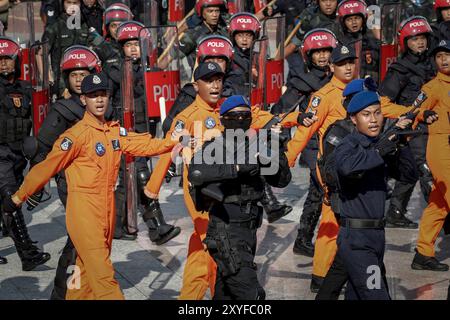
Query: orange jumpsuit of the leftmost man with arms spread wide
{"x":90,"y":154}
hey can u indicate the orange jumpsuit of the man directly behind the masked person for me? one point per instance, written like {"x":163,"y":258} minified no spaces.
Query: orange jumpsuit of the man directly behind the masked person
{"x":202,"y":122}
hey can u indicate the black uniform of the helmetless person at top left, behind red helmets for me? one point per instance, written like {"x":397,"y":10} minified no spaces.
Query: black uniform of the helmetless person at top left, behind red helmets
{"x":59,"y":38}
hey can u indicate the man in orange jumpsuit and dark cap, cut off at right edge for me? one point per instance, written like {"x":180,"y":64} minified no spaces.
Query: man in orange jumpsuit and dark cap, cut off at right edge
{"x":436,"y":107}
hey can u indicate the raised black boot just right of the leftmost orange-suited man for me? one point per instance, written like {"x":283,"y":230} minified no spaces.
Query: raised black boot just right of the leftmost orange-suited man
{"x":158,"y":230}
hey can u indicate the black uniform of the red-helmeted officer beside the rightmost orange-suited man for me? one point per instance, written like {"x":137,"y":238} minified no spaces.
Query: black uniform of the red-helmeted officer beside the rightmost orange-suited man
{"x":402,"y":84}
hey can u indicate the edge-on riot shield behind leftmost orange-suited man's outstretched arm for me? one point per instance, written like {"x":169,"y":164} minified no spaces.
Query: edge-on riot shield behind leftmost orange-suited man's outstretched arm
{"x":127,"y":91}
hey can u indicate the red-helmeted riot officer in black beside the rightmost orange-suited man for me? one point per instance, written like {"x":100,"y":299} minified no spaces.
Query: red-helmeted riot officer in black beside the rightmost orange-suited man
{"x":402,"y":85}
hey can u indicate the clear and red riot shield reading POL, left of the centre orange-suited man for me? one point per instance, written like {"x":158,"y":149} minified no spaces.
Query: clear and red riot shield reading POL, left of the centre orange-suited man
{"x":160,"y":60}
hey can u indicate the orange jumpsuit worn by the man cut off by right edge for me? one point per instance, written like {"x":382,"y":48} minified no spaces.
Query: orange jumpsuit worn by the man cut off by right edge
{"x":438,"y":158}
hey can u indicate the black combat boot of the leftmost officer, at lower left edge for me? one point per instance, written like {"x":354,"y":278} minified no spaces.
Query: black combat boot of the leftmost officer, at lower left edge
{"x":30,"y":255}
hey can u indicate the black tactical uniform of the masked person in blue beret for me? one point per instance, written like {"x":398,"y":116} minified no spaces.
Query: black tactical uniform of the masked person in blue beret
{"x":231,"y":235}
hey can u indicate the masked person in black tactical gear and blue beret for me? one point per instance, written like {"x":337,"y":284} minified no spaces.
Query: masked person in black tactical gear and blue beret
{"x":231,"y":235}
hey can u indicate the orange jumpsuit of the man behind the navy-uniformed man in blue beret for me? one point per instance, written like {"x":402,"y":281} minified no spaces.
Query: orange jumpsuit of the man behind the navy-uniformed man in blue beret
{"x":327,"y":105}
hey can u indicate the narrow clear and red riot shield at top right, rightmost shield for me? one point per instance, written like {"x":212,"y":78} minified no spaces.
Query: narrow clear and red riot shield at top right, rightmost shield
{"x":390,"y":20}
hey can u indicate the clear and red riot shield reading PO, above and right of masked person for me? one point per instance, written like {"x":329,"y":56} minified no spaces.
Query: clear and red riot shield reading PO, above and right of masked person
{"x":270,"y":63}
